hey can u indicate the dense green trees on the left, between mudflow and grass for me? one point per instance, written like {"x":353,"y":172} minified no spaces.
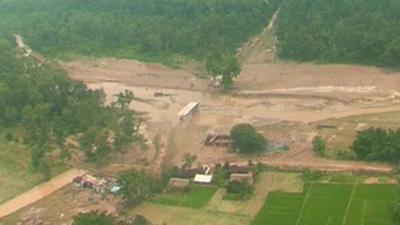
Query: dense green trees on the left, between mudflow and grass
{"x":50,"y":108}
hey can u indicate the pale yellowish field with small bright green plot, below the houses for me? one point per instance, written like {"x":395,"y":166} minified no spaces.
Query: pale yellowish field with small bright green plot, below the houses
{"x":205,"y":205}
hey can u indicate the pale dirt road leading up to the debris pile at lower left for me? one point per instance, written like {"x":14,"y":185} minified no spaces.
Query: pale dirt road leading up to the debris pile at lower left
{"x":39,"y":192}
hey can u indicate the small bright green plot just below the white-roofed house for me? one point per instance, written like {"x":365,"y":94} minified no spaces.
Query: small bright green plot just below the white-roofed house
{"x":197,"y":197}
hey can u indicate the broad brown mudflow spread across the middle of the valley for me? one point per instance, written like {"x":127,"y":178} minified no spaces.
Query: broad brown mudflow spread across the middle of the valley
{"x":280,"y":94}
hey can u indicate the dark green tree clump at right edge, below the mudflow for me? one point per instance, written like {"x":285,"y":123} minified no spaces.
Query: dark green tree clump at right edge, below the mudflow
{"x":378,"y":144}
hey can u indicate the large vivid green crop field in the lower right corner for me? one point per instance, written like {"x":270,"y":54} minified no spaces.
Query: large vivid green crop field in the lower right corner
{"x":331,"y":204}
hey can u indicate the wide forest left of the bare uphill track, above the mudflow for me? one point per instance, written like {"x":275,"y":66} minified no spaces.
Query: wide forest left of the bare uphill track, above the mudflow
{"x":150,"y":29}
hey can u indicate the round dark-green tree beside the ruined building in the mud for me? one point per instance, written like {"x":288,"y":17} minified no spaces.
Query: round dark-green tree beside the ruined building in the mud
{"x":245,"y":139}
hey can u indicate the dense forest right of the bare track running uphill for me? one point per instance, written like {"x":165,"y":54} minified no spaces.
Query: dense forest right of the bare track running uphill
{"x":340,"y":31}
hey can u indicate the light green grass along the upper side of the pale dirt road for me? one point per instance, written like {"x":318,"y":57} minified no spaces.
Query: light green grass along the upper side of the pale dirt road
{"x":16,"y":175}
